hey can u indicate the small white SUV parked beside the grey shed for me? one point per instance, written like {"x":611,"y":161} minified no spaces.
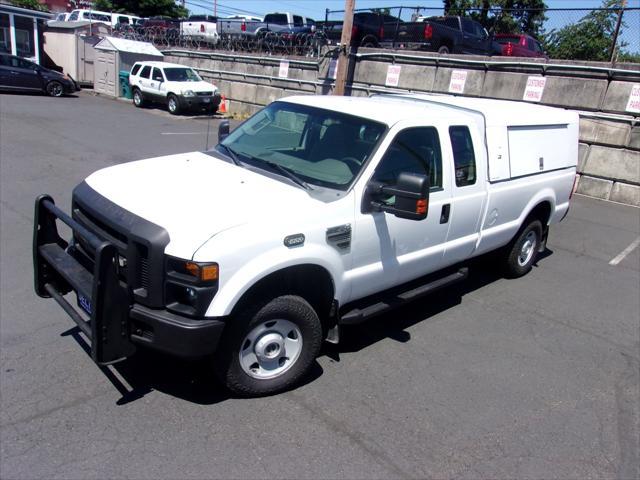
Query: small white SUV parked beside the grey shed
{"x":177,"y":86}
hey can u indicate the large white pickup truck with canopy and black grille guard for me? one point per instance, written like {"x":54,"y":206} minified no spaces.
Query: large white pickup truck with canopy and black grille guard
{"x":316,"y":212}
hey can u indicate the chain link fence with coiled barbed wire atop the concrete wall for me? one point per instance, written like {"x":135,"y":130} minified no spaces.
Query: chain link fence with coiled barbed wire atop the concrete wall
{"x":565,"y":34}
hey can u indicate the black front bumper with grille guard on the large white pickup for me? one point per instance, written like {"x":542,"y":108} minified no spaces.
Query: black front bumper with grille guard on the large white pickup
{"x":117,"y":324}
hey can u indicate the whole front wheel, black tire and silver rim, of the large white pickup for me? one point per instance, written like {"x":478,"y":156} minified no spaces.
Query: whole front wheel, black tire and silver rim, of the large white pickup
{"x":270,"y":347}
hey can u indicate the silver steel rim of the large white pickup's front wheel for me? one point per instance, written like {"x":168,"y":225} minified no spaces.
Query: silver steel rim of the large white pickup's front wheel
{"x":270,"y":349}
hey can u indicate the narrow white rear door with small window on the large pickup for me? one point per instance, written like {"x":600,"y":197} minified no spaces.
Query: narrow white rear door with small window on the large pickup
{"x":463,"y":150}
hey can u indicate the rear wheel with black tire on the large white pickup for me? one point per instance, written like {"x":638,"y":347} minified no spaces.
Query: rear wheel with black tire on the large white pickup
{"x":521,"y":253}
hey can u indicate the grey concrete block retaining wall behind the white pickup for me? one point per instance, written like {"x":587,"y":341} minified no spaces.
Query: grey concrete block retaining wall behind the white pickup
{"x":609,"y":154}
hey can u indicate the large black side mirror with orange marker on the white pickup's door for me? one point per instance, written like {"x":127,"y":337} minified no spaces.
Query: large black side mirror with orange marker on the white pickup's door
{"x":411,"y":193}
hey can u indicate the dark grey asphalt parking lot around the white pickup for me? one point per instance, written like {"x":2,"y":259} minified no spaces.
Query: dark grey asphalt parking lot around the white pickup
{"x":530,"y":378}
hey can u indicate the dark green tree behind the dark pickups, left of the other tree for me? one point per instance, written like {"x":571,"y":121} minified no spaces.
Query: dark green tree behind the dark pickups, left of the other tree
{"x":502,"y":16}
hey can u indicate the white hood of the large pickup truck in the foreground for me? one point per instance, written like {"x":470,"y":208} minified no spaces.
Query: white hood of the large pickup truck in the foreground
{"x":194,"y":196}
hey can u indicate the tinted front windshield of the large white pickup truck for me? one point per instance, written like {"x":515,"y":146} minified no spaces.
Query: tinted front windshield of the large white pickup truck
{"x":320,"y":147}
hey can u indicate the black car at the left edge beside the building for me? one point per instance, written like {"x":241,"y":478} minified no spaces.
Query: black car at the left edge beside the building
{"x":20,"y":74}
